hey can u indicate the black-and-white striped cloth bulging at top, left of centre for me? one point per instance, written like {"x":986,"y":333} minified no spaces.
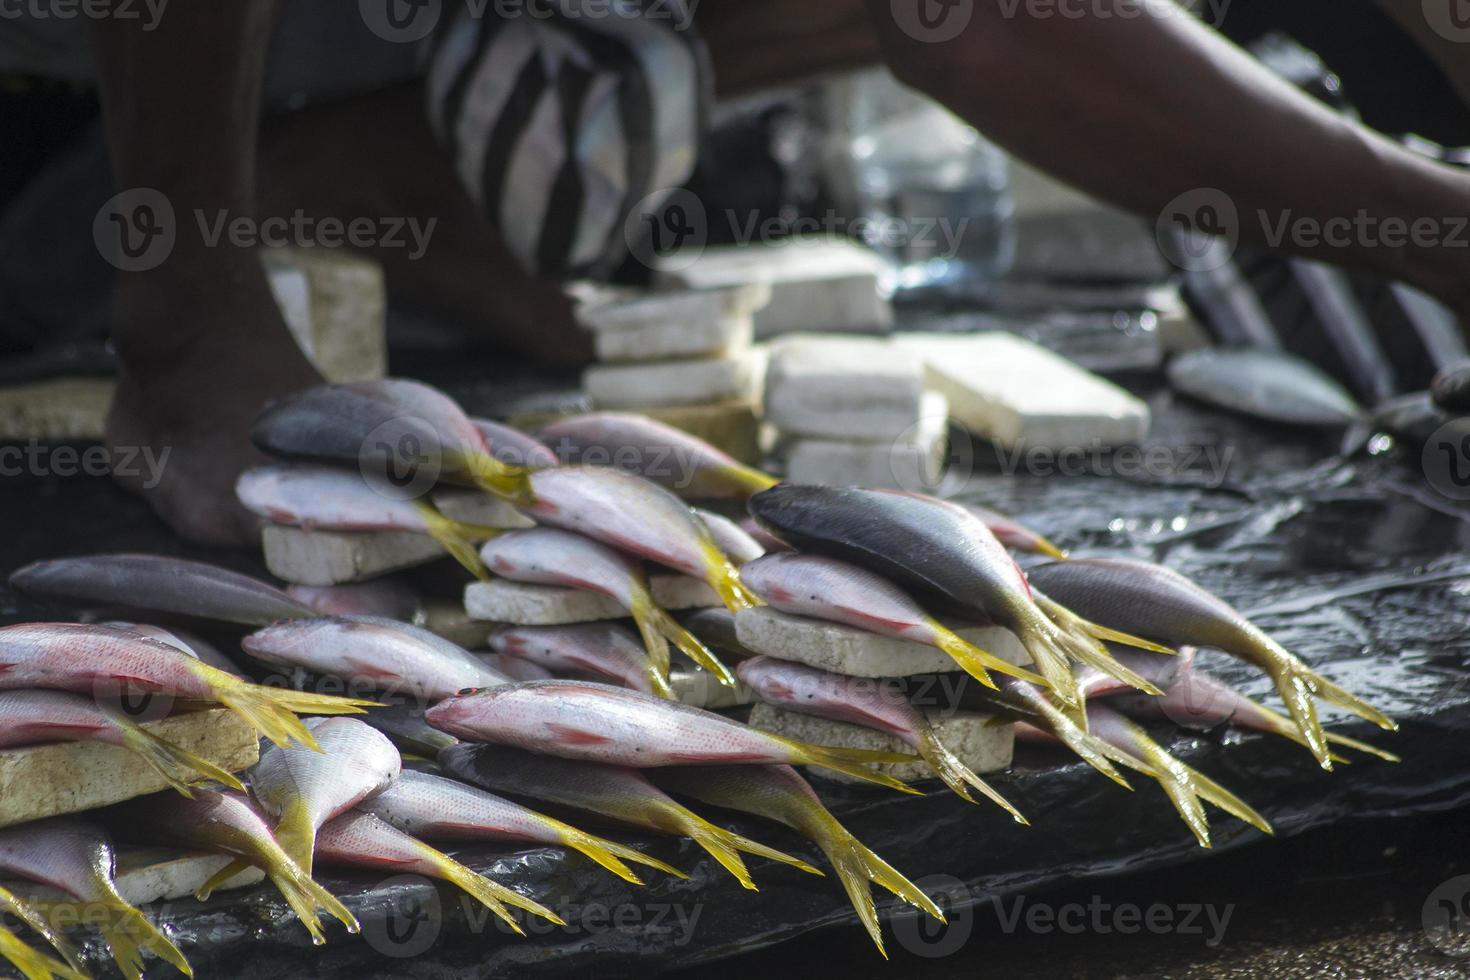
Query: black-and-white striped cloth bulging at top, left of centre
{"x":562,"y":121}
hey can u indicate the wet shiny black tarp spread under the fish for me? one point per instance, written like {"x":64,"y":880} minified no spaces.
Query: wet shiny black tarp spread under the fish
{"x":1358,"y":566}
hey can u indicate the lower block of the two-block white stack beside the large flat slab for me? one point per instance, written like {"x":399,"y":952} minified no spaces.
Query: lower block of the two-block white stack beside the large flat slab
{"x":914,"y":464}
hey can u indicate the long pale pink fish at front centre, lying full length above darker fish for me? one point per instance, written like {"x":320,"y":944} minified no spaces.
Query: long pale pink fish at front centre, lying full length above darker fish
{"x":599,"y":724}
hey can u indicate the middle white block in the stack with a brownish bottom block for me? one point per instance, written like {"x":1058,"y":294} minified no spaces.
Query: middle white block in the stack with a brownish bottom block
{"x":677,"y":383}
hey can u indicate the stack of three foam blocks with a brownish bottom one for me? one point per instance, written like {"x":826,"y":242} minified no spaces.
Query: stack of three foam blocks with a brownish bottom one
{"x":684,"y":358}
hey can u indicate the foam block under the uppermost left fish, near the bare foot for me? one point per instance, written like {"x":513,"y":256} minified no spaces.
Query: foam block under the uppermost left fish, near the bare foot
{"x":336,"y":558}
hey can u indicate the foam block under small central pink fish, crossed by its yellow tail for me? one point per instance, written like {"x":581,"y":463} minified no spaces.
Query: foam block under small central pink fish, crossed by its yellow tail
{"x":521,"y":605}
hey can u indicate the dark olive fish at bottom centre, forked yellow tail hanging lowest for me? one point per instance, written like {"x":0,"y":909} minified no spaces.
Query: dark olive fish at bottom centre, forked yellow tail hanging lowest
{"x":778,"y":793}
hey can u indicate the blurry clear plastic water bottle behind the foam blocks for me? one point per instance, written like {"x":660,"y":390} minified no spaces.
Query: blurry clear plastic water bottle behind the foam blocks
{"x":934,"y":193}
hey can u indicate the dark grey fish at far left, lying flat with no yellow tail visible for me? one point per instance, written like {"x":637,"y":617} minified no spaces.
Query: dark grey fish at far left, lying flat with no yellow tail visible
{"x":158,"y":584}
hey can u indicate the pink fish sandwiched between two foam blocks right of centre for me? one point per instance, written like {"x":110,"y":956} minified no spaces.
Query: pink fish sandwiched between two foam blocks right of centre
{"x":872,"y":705}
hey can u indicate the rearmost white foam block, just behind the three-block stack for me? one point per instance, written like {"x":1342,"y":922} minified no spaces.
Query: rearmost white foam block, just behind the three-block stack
{"x":827,"y":284}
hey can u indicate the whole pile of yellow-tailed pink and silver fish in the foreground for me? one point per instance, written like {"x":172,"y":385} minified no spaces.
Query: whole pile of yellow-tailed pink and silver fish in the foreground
{"x":1108,"y":643}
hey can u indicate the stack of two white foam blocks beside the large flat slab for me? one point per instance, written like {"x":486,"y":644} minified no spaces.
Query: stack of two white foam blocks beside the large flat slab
{"x":855,"y":412}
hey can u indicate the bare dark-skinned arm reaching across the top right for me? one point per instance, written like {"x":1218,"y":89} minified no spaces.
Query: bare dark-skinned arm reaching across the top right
{"x":1140,"y":104}
